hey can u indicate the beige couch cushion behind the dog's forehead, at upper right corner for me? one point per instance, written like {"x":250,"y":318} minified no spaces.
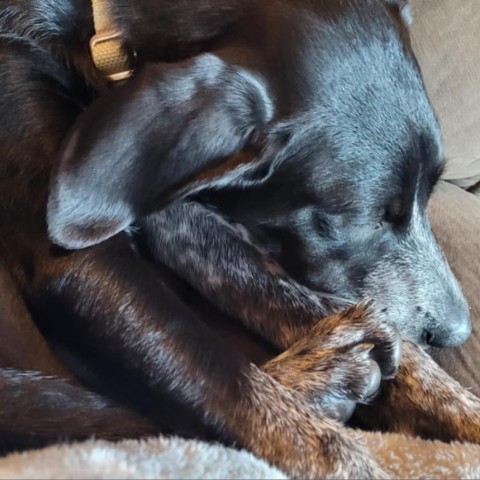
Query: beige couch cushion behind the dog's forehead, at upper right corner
{"x":446,"y":40}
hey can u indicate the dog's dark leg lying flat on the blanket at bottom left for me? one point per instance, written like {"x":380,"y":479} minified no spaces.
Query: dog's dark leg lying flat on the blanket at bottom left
{"x":38,"y":410}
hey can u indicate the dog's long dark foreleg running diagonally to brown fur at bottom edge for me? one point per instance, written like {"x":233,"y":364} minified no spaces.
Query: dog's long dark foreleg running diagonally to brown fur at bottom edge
{"x":111,"y":304}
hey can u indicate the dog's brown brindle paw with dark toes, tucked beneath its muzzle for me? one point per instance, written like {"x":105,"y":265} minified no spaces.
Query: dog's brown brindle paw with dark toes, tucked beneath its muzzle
{"x":341,"y":363}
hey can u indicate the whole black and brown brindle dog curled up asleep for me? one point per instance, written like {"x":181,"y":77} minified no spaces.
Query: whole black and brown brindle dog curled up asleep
{"x":246,"y":101}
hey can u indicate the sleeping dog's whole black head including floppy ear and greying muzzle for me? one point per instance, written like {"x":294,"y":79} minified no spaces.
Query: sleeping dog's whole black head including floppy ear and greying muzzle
{"x":350,"y":152}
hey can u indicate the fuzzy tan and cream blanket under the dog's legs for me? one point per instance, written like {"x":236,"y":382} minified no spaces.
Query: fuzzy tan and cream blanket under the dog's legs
{"x":172,"y":458}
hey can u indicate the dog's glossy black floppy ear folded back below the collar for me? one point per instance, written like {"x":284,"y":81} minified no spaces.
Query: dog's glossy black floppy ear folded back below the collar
{"x":143,"y":144}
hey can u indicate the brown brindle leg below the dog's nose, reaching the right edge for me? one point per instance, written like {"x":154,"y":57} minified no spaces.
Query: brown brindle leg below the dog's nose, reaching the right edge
{"x":424,"y":400}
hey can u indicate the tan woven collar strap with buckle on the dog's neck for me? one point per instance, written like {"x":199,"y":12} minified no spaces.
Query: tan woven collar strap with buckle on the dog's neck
{"x":106,"y":47}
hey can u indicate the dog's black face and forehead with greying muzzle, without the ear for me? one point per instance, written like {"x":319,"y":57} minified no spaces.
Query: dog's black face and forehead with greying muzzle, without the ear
{"x":344,"y":209}
